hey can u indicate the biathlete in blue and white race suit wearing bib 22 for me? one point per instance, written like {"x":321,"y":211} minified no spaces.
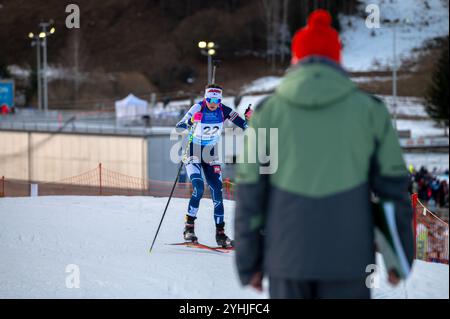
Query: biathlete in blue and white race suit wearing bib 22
{"x":206,"y":118}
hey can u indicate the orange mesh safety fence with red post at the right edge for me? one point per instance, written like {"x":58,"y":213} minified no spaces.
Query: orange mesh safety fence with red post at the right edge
{"x":431,"y":234}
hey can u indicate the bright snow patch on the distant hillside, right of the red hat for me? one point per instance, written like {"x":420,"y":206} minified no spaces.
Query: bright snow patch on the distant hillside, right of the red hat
{"x":422,"y":21}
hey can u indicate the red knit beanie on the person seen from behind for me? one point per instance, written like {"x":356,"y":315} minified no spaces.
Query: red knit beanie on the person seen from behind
{"x":317,"y":38}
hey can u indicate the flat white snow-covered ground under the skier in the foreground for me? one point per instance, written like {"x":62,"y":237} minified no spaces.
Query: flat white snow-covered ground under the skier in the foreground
{"x":107,"y":239}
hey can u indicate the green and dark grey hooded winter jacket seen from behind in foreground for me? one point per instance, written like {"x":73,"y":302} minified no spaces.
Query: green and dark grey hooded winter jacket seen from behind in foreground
{"x":311,"y":219}
